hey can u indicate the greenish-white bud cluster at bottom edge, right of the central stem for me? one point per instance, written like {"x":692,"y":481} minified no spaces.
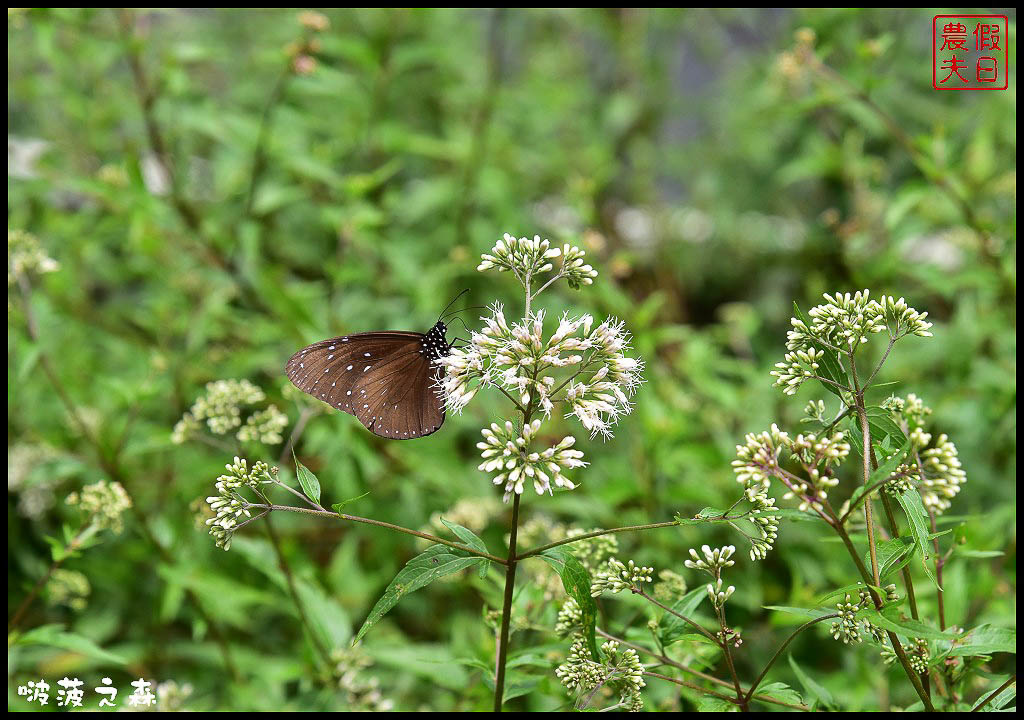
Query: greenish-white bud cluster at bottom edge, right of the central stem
{"x":622,"y":672}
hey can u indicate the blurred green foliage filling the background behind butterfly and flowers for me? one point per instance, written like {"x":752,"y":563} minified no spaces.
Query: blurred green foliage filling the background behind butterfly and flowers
{"x":222,"y":188}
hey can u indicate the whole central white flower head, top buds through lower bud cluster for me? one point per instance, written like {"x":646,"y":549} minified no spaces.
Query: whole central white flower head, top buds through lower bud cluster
{"x":581,"y":365}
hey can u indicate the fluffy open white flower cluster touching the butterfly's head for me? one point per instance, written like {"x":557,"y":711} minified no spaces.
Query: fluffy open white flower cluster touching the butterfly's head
{"x":522,"y":362}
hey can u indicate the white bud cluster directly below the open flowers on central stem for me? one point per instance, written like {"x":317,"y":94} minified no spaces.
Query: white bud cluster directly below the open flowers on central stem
{"x":506,"y":450}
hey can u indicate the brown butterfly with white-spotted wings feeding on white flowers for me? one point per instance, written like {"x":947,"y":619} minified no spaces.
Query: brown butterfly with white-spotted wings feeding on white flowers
{"x":390,"y":380}
